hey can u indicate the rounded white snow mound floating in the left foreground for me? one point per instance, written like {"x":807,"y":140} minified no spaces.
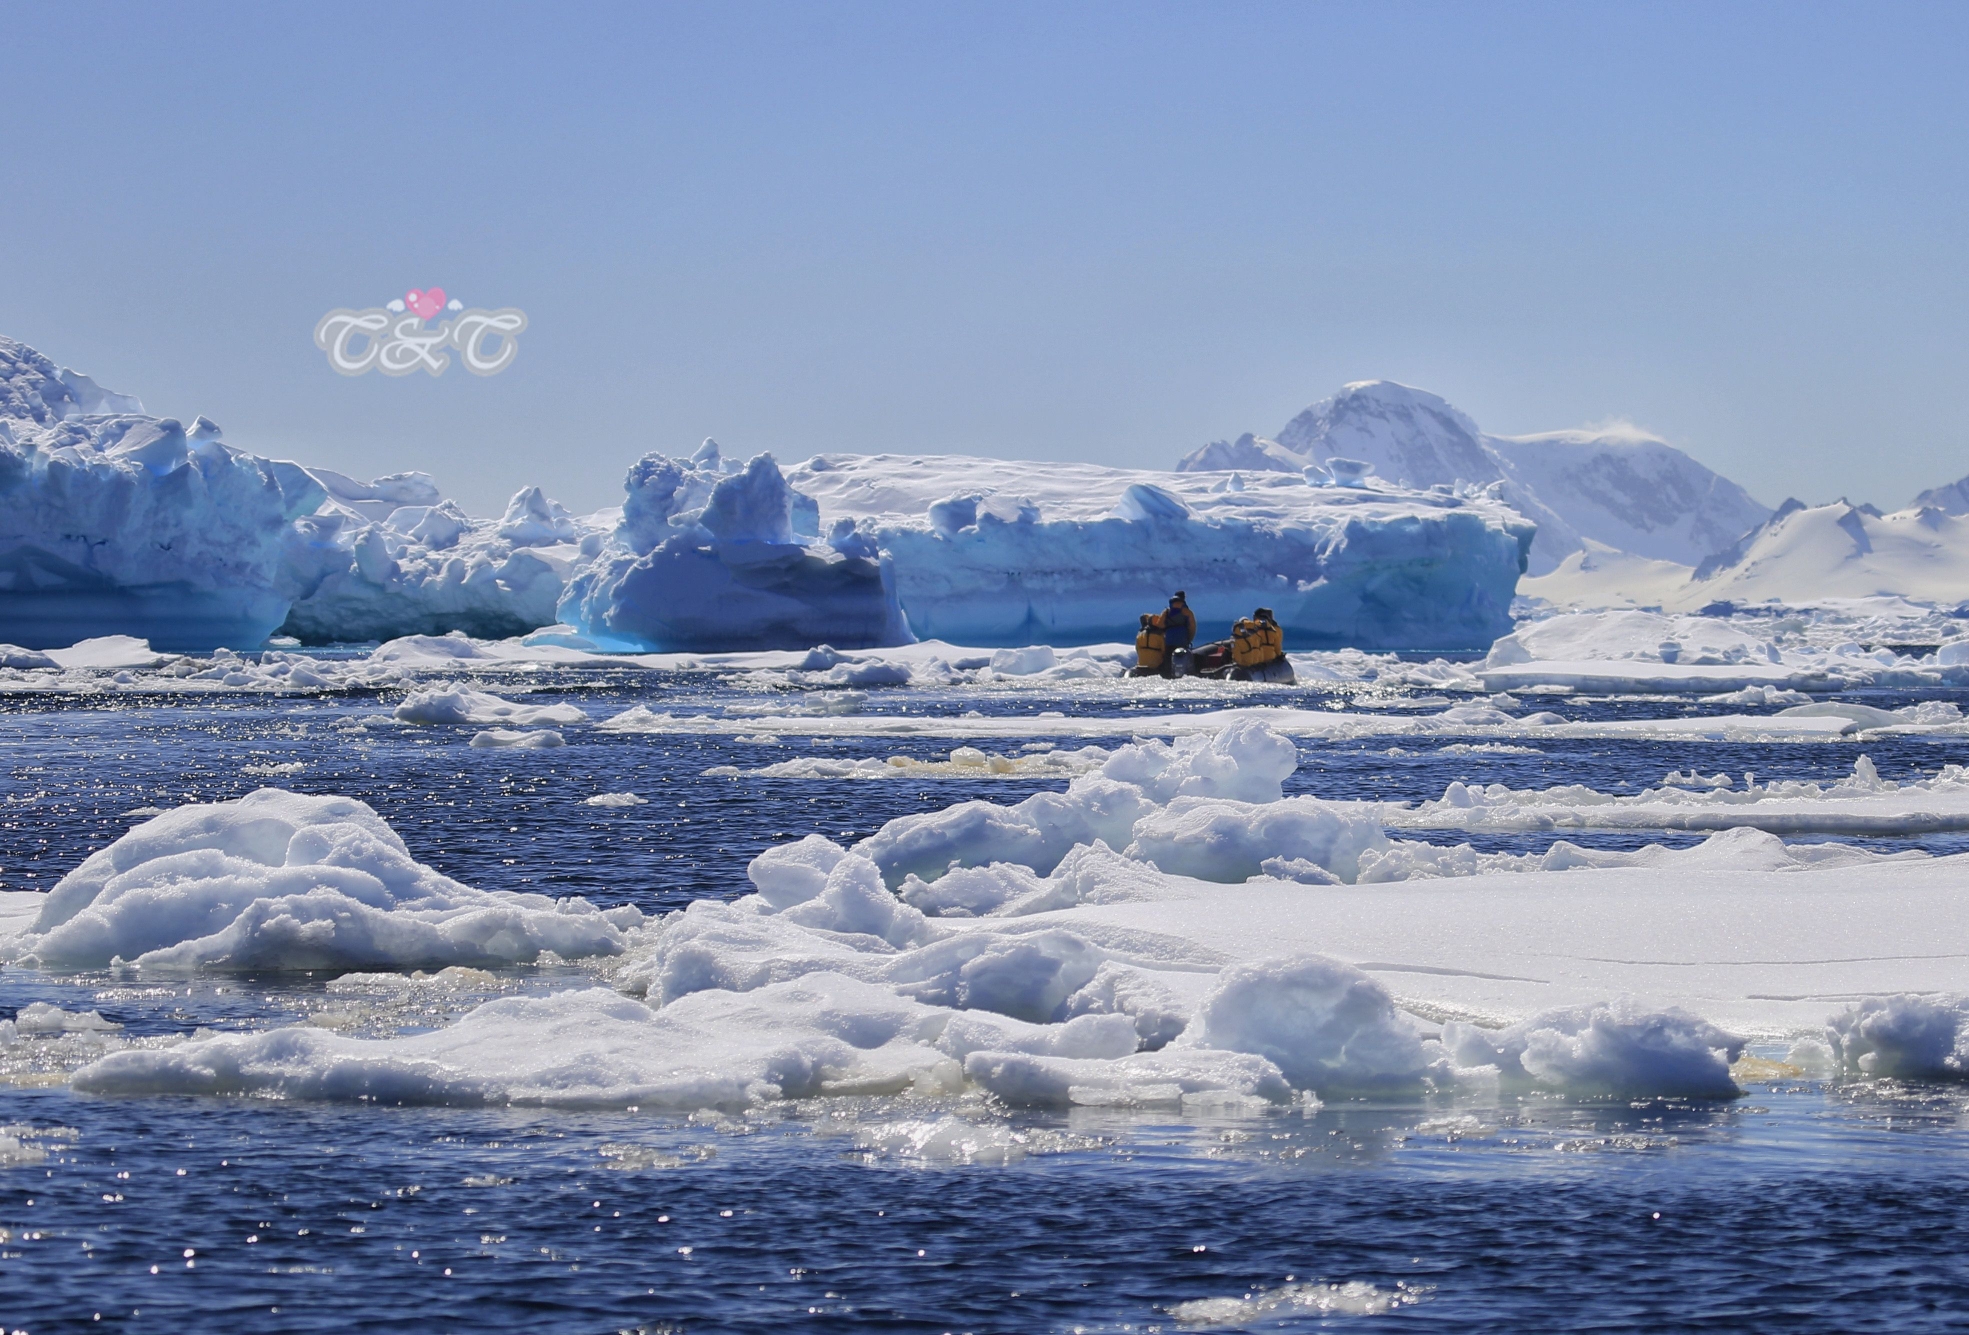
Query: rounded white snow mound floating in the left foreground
{"x":283,"y":881}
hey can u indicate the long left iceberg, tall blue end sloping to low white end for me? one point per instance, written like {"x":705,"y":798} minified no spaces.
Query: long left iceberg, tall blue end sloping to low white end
{"x":119,"y":523}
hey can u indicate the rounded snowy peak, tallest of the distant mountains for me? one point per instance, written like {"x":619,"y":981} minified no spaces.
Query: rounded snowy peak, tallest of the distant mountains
{"x":1411,"y":436}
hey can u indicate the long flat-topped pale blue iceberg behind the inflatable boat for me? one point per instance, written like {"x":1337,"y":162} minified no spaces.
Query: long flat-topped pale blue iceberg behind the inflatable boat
{"x":1001,"y":552}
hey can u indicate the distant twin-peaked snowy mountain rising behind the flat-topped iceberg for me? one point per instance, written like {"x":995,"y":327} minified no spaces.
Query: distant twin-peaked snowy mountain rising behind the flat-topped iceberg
{"x":1621,"y":491}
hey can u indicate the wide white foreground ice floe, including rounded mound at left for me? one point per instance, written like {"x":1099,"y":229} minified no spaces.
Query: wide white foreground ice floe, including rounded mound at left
{"x":1239,"y":952}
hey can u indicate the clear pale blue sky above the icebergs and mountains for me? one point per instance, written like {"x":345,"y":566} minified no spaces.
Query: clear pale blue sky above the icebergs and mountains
{"x":1064,"y":231}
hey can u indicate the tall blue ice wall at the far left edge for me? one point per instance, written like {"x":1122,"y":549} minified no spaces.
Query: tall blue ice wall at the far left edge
{"x":117,"y":523}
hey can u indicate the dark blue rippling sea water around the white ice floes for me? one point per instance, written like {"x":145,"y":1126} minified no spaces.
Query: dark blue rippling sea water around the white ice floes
{"x":1805,"y":1206}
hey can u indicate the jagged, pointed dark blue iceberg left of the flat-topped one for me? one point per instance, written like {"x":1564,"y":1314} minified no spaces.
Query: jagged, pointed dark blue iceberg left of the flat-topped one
{"x":722,"y":558}
